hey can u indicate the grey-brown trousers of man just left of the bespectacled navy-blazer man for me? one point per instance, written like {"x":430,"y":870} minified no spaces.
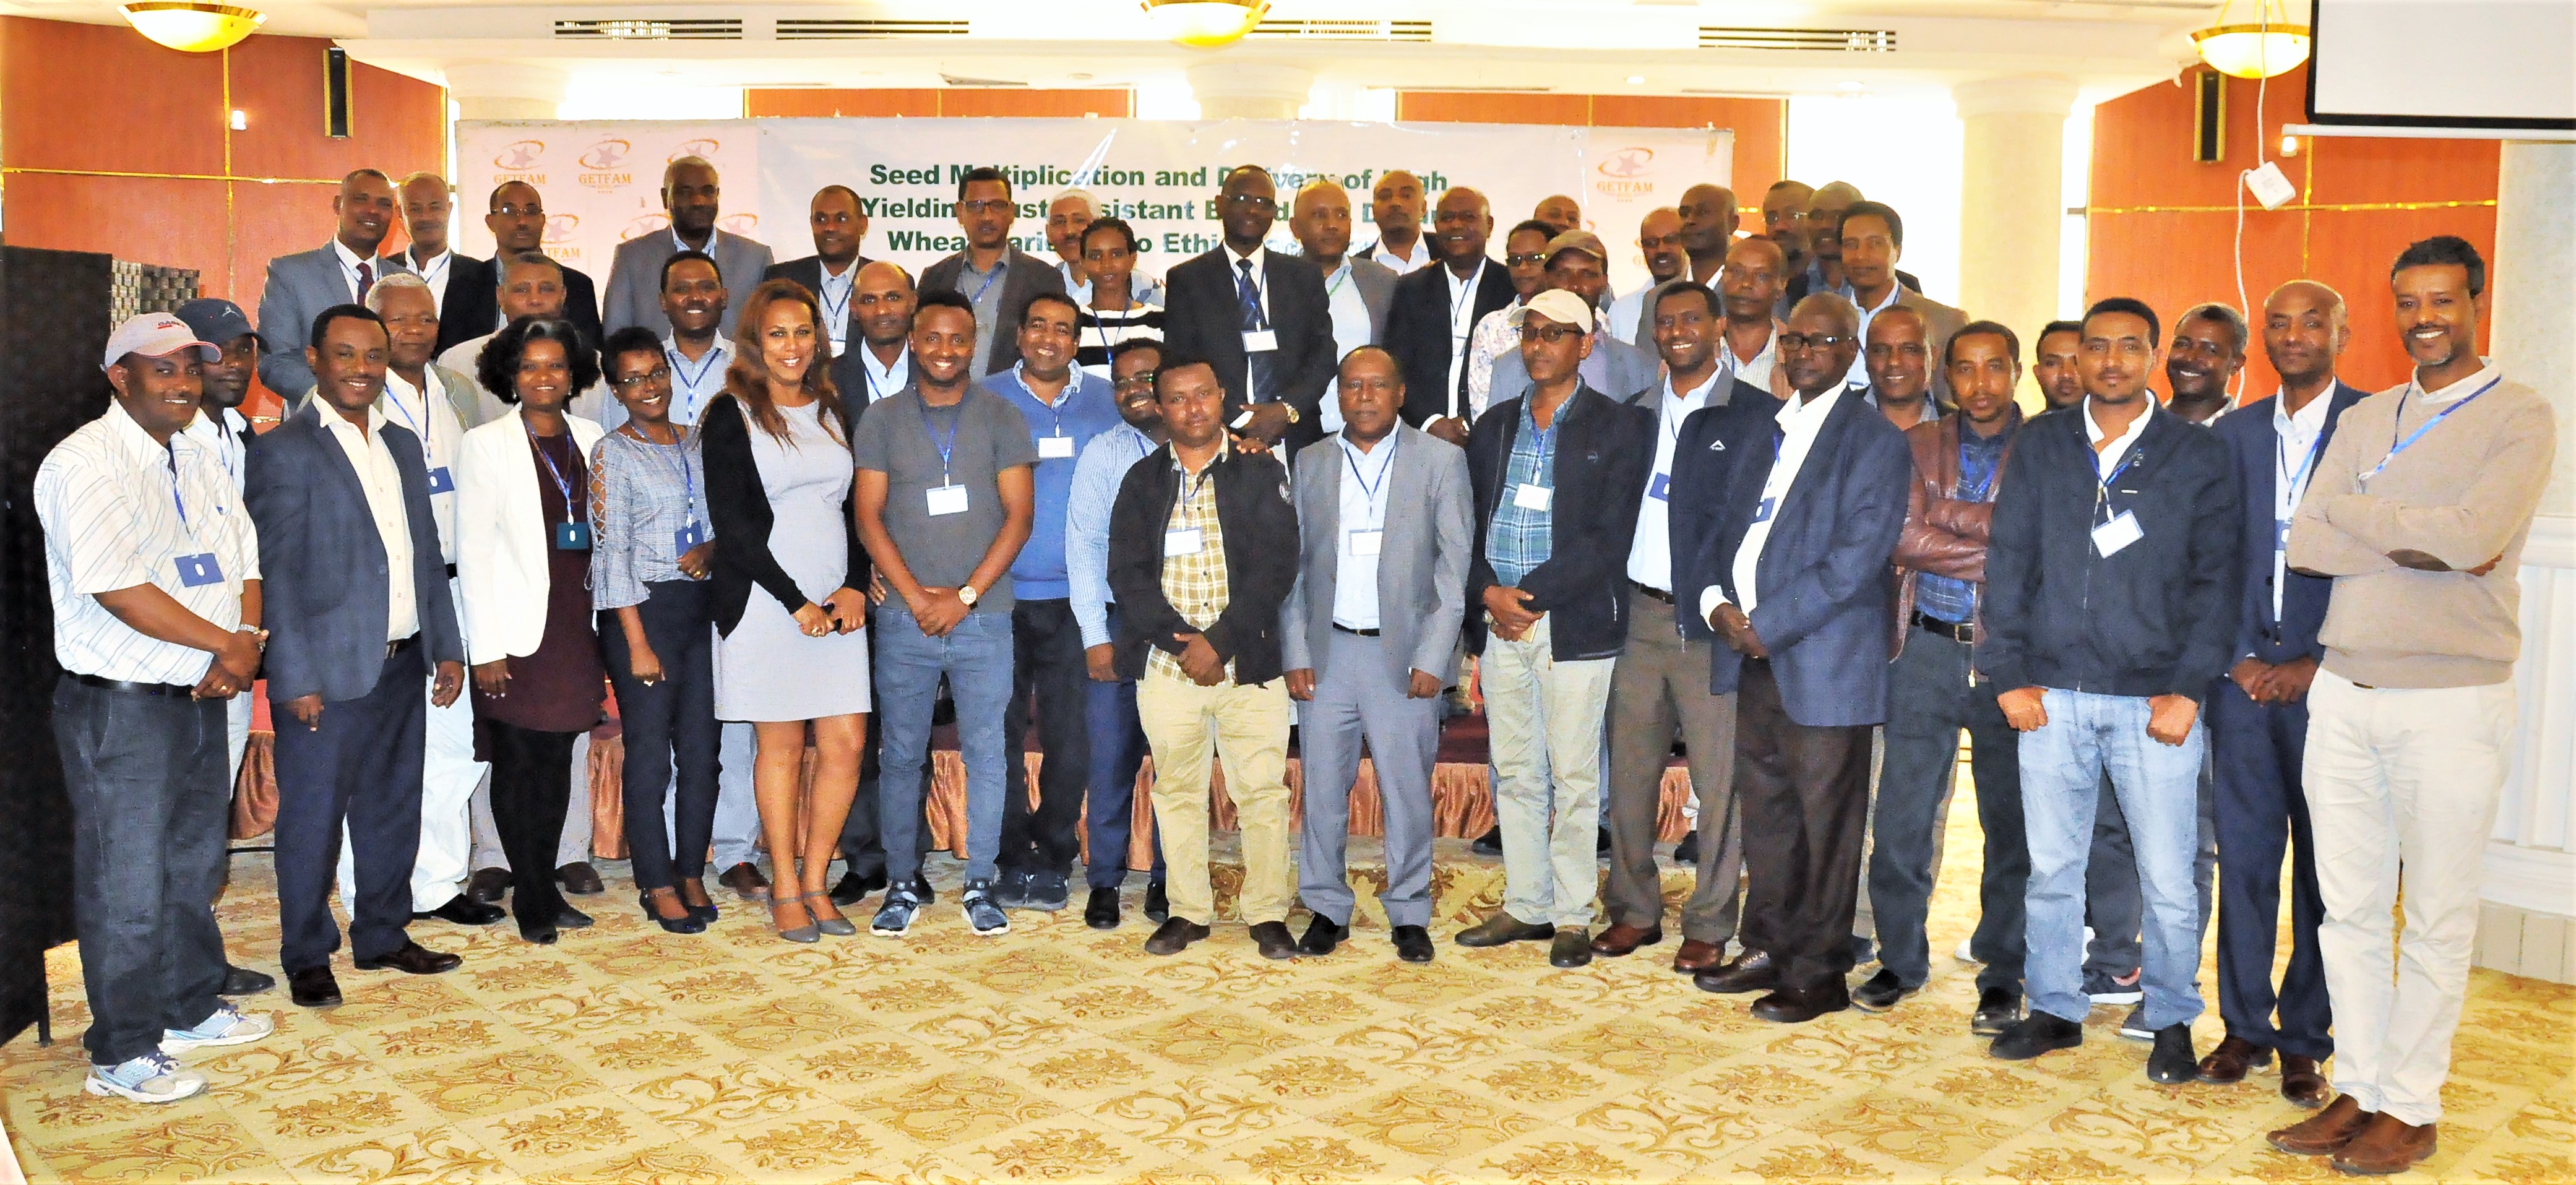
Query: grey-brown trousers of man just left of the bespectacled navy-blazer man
{"x":1660,"y":687}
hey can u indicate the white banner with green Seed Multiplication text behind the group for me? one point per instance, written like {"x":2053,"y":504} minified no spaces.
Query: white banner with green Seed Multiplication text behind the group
{"x":601,"y":179}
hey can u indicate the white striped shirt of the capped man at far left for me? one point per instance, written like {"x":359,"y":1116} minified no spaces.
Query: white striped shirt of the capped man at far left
{"x":109,"y":501}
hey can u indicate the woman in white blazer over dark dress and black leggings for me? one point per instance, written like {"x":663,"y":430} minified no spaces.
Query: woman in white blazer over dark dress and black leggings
{"x":524,"y":568}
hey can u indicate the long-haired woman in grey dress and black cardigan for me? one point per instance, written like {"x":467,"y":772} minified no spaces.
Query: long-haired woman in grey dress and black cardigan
{"x":792,"y":640}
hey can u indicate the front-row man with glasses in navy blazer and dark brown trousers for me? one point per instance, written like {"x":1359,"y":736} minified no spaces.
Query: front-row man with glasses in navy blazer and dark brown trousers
{"x":1794,"y":578}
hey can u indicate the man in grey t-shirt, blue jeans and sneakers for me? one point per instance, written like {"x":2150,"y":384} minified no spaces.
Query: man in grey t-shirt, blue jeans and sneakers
{"x":944,"y":506}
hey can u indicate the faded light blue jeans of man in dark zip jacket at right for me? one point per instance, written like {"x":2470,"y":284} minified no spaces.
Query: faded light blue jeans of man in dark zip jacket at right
{"x":2157,"y":784}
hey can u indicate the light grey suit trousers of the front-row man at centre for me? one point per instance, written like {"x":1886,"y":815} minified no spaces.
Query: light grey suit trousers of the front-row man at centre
{"x":1356,"y":694}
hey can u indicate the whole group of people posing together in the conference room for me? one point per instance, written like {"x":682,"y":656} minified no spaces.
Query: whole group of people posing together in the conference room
{"x":1771,"y":506}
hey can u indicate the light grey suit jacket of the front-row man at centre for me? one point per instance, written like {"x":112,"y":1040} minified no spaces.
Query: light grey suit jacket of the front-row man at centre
{"x":1421,"y":565}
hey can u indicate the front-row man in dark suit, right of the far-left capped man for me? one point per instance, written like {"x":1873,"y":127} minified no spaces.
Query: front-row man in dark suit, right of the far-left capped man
{"x":354,"y":571}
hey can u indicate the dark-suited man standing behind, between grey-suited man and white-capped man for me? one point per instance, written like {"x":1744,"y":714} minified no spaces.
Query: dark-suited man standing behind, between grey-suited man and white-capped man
{"x":1436,"y":310}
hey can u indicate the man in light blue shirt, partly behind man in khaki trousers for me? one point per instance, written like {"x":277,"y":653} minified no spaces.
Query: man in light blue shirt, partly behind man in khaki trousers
{"x":1117,"y":735}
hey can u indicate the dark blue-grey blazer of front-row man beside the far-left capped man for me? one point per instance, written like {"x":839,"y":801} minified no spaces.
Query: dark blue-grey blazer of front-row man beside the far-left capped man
{"x":323,"y":578}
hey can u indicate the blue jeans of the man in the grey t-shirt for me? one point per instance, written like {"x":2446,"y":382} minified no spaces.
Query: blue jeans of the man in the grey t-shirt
{"x":975,"y":656}
